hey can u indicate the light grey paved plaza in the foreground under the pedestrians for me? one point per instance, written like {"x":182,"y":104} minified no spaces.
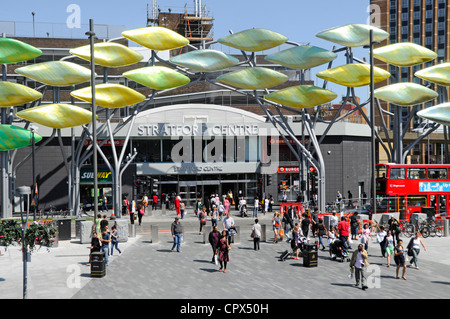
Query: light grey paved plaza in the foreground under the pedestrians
{"x":153,"y":271}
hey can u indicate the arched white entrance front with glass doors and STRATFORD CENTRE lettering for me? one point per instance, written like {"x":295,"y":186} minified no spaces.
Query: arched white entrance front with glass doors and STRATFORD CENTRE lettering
{"x":195,"y":151}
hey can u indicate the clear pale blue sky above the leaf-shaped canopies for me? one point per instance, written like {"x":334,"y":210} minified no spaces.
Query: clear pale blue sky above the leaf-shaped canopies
{"x":299,"y":20}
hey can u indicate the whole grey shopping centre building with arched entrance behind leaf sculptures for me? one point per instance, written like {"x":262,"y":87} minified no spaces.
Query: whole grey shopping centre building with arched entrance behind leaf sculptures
{"x":194,"y":141}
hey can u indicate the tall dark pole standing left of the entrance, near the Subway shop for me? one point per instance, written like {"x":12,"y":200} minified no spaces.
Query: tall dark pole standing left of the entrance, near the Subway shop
{"x":91,"y":35}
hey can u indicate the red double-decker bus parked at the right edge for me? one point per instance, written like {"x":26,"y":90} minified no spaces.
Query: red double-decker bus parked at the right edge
{"x":411,"y":187}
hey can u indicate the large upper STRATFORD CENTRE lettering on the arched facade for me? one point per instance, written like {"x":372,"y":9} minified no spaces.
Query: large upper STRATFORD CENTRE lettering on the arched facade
{"x":164,"y":129}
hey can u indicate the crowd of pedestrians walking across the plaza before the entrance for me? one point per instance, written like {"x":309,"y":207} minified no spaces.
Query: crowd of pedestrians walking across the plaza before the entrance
{"x":339,"y":235}
